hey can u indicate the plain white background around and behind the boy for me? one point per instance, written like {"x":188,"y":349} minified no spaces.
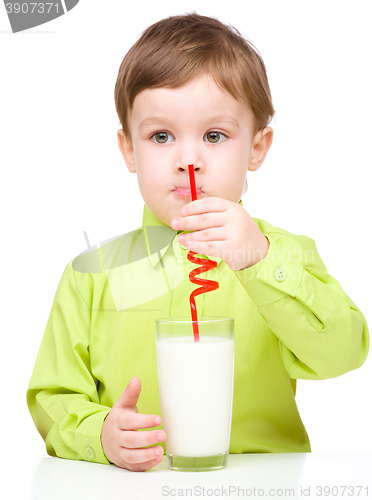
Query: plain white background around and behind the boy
{"x":62,"y":172}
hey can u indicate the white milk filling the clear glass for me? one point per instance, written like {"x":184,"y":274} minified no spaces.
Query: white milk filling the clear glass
{"x":196,"y":388}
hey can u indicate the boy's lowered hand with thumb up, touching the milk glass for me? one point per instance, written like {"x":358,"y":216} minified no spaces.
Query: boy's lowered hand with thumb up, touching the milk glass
{"x":121,"y":442}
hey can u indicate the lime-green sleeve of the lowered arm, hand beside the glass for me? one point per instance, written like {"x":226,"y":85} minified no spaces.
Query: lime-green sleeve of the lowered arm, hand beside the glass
{"x":62,"y":396}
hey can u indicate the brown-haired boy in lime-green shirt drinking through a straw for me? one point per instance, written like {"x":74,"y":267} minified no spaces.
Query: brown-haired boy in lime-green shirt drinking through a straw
{"x":191,"y":90}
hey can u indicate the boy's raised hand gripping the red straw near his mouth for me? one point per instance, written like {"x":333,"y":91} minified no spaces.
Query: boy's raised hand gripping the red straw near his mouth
{"x":222,"y":229}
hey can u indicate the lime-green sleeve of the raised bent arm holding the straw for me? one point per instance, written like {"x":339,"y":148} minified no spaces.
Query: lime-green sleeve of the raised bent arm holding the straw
{"x":322,"y":333}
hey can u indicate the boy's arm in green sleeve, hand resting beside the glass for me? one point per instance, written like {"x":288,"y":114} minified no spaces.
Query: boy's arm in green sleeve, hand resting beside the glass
{"x":64,"y":401}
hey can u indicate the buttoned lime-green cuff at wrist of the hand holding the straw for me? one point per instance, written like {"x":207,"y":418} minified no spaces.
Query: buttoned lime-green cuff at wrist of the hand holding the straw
{"x":277,"y":275}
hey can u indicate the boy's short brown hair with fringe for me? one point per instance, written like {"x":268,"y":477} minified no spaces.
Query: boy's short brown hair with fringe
{"x":174,"y":50}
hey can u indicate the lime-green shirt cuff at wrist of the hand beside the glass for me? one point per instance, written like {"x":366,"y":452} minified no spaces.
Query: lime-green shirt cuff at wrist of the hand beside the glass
{"x":88,"y":438}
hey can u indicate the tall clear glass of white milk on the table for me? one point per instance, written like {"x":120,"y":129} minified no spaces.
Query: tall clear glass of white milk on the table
{"x":196,"y":390}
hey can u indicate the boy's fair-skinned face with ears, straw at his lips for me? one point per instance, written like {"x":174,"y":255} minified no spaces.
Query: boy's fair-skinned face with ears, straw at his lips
{"x":197,"y":123}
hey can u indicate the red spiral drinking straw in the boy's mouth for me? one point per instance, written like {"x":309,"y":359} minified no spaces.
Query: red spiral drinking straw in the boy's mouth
{"x":208,"y":285}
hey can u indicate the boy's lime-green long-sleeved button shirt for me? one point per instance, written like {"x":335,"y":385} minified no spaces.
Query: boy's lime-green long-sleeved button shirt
{"x":292,"y":320}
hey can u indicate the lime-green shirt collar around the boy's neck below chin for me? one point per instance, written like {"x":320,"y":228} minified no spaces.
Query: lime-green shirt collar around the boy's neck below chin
{"x":156,"y":237}
